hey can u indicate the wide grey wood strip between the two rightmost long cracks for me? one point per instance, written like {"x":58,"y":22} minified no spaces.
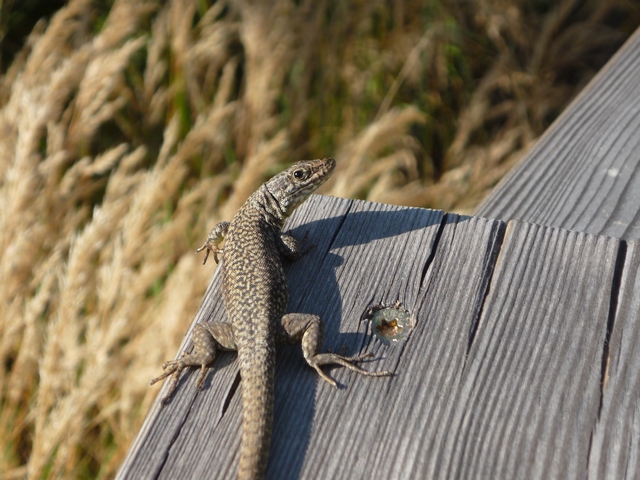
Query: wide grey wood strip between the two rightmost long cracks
{"x":530,"y":390}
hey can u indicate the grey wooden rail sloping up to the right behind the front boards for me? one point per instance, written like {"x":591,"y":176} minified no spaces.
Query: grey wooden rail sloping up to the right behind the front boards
{"x":584,"y":174}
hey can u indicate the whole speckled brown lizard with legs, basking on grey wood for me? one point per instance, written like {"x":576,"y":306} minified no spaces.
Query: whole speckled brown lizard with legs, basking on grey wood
{"x":255,"y":295}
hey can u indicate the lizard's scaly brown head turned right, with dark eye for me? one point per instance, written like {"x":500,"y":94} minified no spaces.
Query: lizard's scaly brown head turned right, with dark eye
{"x":293,"y":186}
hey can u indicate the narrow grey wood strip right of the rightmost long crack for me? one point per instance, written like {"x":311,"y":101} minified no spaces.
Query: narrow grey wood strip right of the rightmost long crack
{"x":615,"y":451}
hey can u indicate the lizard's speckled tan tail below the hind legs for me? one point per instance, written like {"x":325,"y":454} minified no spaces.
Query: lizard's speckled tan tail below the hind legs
{"x":257,"y":371}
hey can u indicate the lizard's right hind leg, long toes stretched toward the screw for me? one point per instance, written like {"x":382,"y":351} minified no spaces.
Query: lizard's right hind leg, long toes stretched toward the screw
{"x":309,"y":330}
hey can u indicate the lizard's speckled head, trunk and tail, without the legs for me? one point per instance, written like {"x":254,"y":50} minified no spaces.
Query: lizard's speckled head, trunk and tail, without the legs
{"x":256,"y":294}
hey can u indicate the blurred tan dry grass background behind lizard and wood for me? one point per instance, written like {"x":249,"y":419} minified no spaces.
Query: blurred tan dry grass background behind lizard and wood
{"x":128,"y":128}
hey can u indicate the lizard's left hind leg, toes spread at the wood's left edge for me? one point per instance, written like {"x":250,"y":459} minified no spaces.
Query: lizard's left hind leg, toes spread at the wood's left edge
{"x":208,"y":338}
